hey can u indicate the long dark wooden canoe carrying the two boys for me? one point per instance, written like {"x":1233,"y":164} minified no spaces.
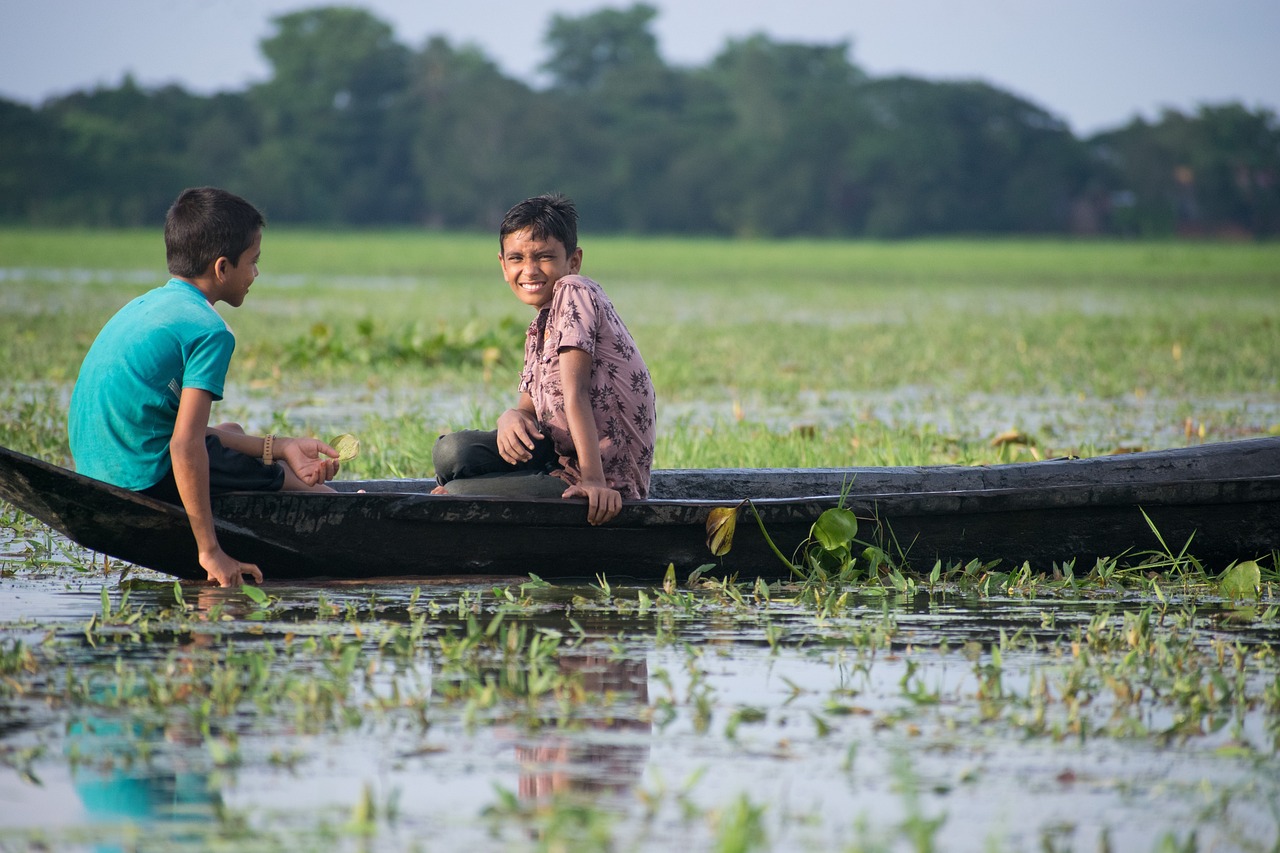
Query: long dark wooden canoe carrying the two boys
{"x":1224,"y":499}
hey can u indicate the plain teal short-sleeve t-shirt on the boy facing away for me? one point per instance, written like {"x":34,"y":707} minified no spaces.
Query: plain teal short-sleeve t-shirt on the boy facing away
{"x":126,"y":399}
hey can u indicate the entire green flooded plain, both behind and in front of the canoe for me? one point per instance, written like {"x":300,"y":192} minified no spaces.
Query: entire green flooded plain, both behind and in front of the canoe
{"x":1127,"y":705}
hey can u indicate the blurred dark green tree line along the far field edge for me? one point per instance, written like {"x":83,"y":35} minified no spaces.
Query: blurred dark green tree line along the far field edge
{"x":769,"y":139}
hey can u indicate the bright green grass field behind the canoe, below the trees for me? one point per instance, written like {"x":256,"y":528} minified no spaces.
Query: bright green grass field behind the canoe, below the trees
{"x":746,"y":336}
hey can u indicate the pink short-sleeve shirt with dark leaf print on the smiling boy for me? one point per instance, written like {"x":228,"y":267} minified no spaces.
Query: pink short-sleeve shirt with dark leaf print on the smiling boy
{"x":623,"y":400}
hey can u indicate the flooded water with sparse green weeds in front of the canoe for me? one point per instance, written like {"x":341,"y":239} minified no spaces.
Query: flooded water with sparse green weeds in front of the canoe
{"x":516,"y":715}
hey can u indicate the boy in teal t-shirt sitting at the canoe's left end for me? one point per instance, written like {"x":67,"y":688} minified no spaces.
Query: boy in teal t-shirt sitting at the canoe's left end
{"x":140,"y":409}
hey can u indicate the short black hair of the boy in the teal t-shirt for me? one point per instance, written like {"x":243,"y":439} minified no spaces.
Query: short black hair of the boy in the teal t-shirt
{"x":204,"y":225}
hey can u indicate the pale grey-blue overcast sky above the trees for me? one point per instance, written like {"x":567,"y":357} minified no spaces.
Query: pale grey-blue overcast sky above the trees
{"x":1095,"y":63}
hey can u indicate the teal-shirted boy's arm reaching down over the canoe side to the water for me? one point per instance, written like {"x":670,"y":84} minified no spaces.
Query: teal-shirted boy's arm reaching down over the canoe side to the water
{"x":191,"y":473}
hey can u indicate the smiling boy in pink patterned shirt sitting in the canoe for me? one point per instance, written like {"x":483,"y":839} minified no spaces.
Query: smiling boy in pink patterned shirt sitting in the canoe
{"x":584,"y":426}
